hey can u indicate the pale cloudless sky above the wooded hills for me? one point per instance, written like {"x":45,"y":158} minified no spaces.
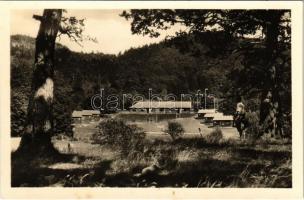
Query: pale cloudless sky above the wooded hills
{"x":112,"y":32}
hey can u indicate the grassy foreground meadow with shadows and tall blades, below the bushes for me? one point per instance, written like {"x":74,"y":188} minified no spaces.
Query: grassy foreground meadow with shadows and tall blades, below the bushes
{"x":210,"y":160}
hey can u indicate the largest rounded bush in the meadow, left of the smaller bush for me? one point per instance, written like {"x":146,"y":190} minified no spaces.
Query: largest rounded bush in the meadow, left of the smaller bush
{"x":126,"y":137}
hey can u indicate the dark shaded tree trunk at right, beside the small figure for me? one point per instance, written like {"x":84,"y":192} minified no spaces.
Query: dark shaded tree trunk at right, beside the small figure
{"x":270,"y":111}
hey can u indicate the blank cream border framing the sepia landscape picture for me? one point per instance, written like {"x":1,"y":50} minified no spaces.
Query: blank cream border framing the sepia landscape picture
{"x":168,"y":193}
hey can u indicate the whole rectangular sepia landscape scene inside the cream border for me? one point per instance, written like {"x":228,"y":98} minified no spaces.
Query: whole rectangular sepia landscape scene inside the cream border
{"x":151,"y":98}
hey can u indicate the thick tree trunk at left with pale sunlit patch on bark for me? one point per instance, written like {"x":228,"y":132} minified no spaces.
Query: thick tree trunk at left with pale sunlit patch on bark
{"x":40,"y":119}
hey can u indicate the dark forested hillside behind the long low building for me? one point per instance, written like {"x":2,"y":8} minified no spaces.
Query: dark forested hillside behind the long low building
{"x":173,"y":66}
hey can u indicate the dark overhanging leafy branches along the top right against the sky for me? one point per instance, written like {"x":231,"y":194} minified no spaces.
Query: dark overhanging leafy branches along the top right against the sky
{"x":239,"y":22}
